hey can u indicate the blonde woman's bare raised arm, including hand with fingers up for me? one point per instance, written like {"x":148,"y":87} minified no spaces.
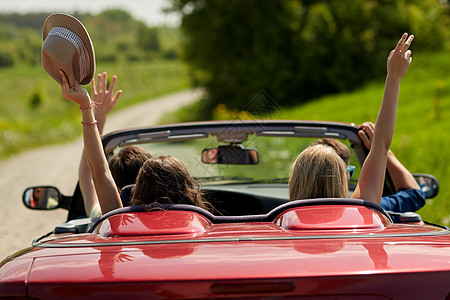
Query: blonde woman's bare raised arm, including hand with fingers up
{"x":370,"y":184}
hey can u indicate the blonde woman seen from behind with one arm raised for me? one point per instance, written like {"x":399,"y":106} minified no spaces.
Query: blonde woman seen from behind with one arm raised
{"x":318,"y":172}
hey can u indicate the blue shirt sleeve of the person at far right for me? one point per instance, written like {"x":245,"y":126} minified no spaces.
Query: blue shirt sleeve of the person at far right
{"x":404,"y":200}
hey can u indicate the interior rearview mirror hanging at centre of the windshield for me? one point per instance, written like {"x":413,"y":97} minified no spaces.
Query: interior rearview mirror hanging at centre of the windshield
{"x":230,"y":154}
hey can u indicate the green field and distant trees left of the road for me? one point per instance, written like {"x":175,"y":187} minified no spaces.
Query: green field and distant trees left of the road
{"x":32,"y":110}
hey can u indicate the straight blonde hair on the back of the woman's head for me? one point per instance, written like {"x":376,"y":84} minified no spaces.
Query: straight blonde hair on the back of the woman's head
{"x":318,"y":172}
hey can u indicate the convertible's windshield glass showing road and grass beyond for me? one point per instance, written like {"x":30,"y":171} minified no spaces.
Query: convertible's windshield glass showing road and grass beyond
{"x":276,"y":155}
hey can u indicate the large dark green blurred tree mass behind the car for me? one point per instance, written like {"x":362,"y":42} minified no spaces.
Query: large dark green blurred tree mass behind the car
{"x":297,"y":50}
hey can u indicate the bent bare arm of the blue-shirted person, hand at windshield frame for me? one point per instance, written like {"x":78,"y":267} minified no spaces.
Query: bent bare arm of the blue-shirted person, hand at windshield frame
{"x":400,"y":175}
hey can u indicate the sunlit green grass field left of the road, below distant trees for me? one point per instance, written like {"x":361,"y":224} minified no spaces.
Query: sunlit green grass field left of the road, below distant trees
{"x":28,"y":121}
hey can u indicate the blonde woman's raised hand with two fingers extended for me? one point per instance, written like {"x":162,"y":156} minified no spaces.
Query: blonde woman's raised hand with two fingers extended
{"x":400,"y":58}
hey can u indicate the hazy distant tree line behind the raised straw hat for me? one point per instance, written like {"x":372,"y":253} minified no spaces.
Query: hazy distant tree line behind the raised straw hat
{"x":116,"y":35}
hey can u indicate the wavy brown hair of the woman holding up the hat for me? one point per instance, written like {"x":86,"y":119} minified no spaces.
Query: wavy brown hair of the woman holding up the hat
{"x":165,"y":179}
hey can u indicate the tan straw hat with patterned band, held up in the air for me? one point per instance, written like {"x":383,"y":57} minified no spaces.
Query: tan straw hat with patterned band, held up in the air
{"x":67,"y":47}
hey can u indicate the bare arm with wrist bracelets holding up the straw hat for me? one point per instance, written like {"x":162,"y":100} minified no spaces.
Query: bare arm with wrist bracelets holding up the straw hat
{"x":105,"y":187}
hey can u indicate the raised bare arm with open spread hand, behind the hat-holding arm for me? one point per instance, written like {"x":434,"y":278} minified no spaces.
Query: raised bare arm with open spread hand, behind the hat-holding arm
{"x":104,"y":103}
